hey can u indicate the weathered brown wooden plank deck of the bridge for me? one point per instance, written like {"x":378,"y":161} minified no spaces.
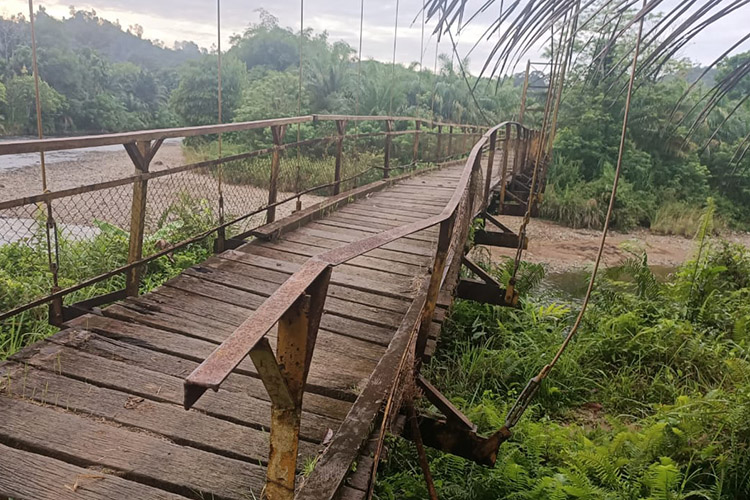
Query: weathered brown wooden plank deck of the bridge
{"x":96,"y":411}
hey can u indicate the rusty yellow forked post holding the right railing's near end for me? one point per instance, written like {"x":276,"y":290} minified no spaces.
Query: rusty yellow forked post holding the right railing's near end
{"x":284,"y":377}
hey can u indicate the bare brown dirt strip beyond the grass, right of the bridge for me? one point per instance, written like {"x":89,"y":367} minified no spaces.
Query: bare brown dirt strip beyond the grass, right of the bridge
{"x":561,"y":248}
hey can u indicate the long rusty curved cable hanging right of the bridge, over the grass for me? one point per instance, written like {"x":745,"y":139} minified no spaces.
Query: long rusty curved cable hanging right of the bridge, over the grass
{"x":532,"y":386}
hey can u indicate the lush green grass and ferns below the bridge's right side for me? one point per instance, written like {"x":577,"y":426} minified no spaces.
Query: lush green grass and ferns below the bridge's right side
{"x":651,"y":401}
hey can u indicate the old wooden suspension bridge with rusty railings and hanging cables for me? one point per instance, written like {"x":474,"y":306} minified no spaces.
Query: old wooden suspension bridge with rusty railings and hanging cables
{"x":276,"y":366}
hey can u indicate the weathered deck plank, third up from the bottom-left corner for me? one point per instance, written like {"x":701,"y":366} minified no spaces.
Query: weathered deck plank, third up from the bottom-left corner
{"x":192,"y":429}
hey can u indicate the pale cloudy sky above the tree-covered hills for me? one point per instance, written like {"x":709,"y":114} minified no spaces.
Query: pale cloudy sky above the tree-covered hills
{"x":172,"y":20}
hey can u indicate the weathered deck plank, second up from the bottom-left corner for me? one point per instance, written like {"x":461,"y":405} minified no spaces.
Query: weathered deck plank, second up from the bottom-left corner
{"x":136,"y":455}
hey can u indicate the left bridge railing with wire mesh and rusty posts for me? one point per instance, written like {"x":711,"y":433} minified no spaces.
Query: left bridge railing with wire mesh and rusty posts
{"x":82,"y":244}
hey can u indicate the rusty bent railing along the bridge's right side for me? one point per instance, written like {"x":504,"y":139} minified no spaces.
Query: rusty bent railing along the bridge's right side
{"x":296,"y":308}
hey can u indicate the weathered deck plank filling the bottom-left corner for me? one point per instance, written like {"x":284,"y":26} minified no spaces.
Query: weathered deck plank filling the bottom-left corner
{"x":29,"y":475}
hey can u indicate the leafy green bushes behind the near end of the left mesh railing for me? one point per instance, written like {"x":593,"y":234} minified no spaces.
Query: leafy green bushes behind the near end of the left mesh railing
{"x":24,"y":274}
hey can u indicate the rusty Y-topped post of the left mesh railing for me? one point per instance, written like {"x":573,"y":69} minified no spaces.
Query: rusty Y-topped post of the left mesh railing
{"x":141,"y":153}
